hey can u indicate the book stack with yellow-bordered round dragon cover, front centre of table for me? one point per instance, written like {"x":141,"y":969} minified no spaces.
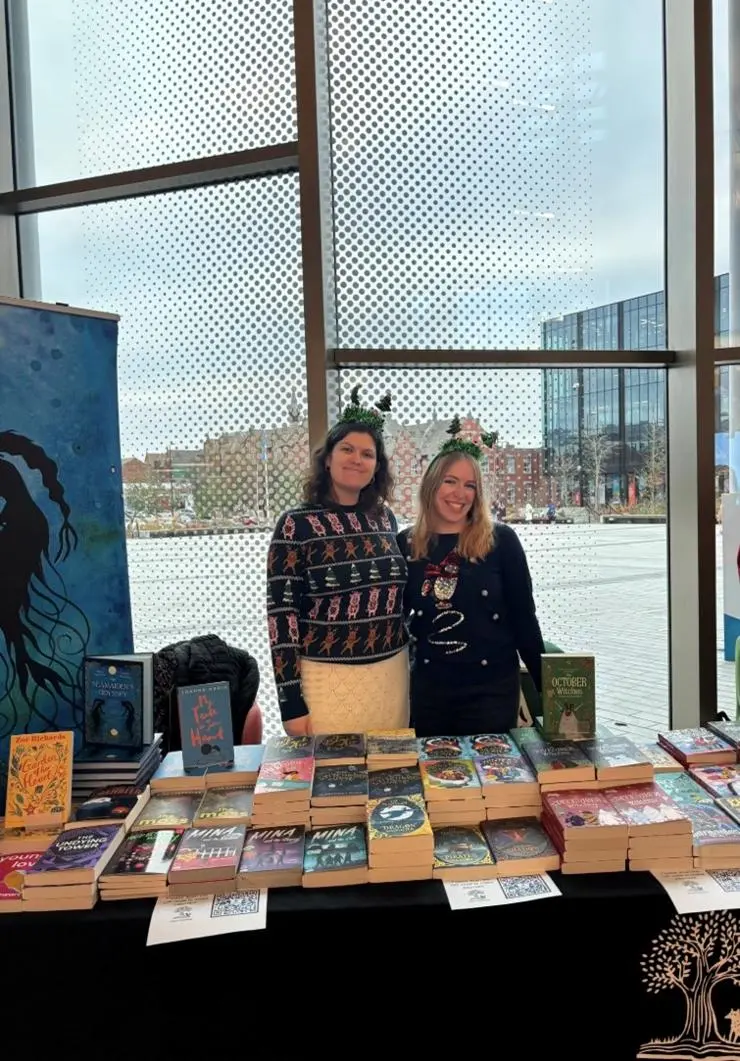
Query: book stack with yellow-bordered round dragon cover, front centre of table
{"x":401,"y":843}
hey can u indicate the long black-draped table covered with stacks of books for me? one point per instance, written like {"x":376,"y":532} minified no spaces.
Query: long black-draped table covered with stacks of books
{"x":608,"y":969}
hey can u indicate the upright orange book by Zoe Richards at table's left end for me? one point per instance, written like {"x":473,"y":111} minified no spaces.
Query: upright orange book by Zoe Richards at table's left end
{"x":40,"y":780}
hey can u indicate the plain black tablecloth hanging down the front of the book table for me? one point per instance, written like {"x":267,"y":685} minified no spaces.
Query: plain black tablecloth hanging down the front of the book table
{"x":338,"y":970}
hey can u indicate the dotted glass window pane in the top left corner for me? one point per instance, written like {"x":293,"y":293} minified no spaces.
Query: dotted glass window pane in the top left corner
{"x":162,"y":81}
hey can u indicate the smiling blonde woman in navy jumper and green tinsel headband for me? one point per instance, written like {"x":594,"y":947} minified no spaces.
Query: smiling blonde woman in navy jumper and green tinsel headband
{"x":469,"y":602}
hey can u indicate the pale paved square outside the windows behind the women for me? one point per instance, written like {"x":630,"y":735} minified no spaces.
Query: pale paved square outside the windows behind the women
{"x":600,"y":589}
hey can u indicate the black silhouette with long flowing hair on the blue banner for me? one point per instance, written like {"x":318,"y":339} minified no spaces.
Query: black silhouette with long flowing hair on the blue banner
{"x":46,"y":635}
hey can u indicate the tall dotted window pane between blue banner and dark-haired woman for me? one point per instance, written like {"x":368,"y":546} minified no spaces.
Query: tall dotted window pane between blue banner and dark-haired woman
{"x":212,"y":393}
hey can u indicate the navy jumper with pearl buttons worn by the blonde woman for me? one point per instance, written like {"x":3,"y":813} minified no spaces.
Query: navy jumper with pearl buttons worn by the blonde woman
{"x":498,"y":624}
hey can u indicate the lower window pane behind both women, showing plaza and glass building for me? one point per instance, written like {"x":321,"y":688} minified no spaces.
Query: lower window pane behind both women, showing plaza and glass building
{"x":598,"y":588}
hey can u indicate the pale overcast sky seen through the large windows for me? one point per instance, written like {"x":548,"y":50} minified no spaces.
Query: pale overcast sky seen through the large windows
{"x":494,"y":167}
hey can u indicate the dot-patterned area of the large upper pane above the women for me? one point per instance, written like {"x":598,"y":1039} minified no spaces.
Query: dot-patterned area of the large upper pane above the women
{"x":462,"y":160}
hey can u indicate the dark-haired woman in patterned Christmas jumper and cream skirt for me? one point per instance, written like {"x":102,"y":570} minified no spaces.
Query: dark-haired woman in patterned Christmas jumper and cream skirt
{"x":336,"y":582}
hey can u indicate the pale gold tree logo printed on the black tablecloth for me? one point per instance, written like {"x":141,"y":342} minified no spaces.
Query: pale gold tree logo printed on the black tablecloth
{"x":698,"y":958}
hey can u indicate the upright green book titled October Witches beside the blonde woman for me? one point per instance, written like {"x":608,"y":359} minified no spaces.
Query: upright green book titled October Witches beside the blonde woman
{"x":569,"y":698}
